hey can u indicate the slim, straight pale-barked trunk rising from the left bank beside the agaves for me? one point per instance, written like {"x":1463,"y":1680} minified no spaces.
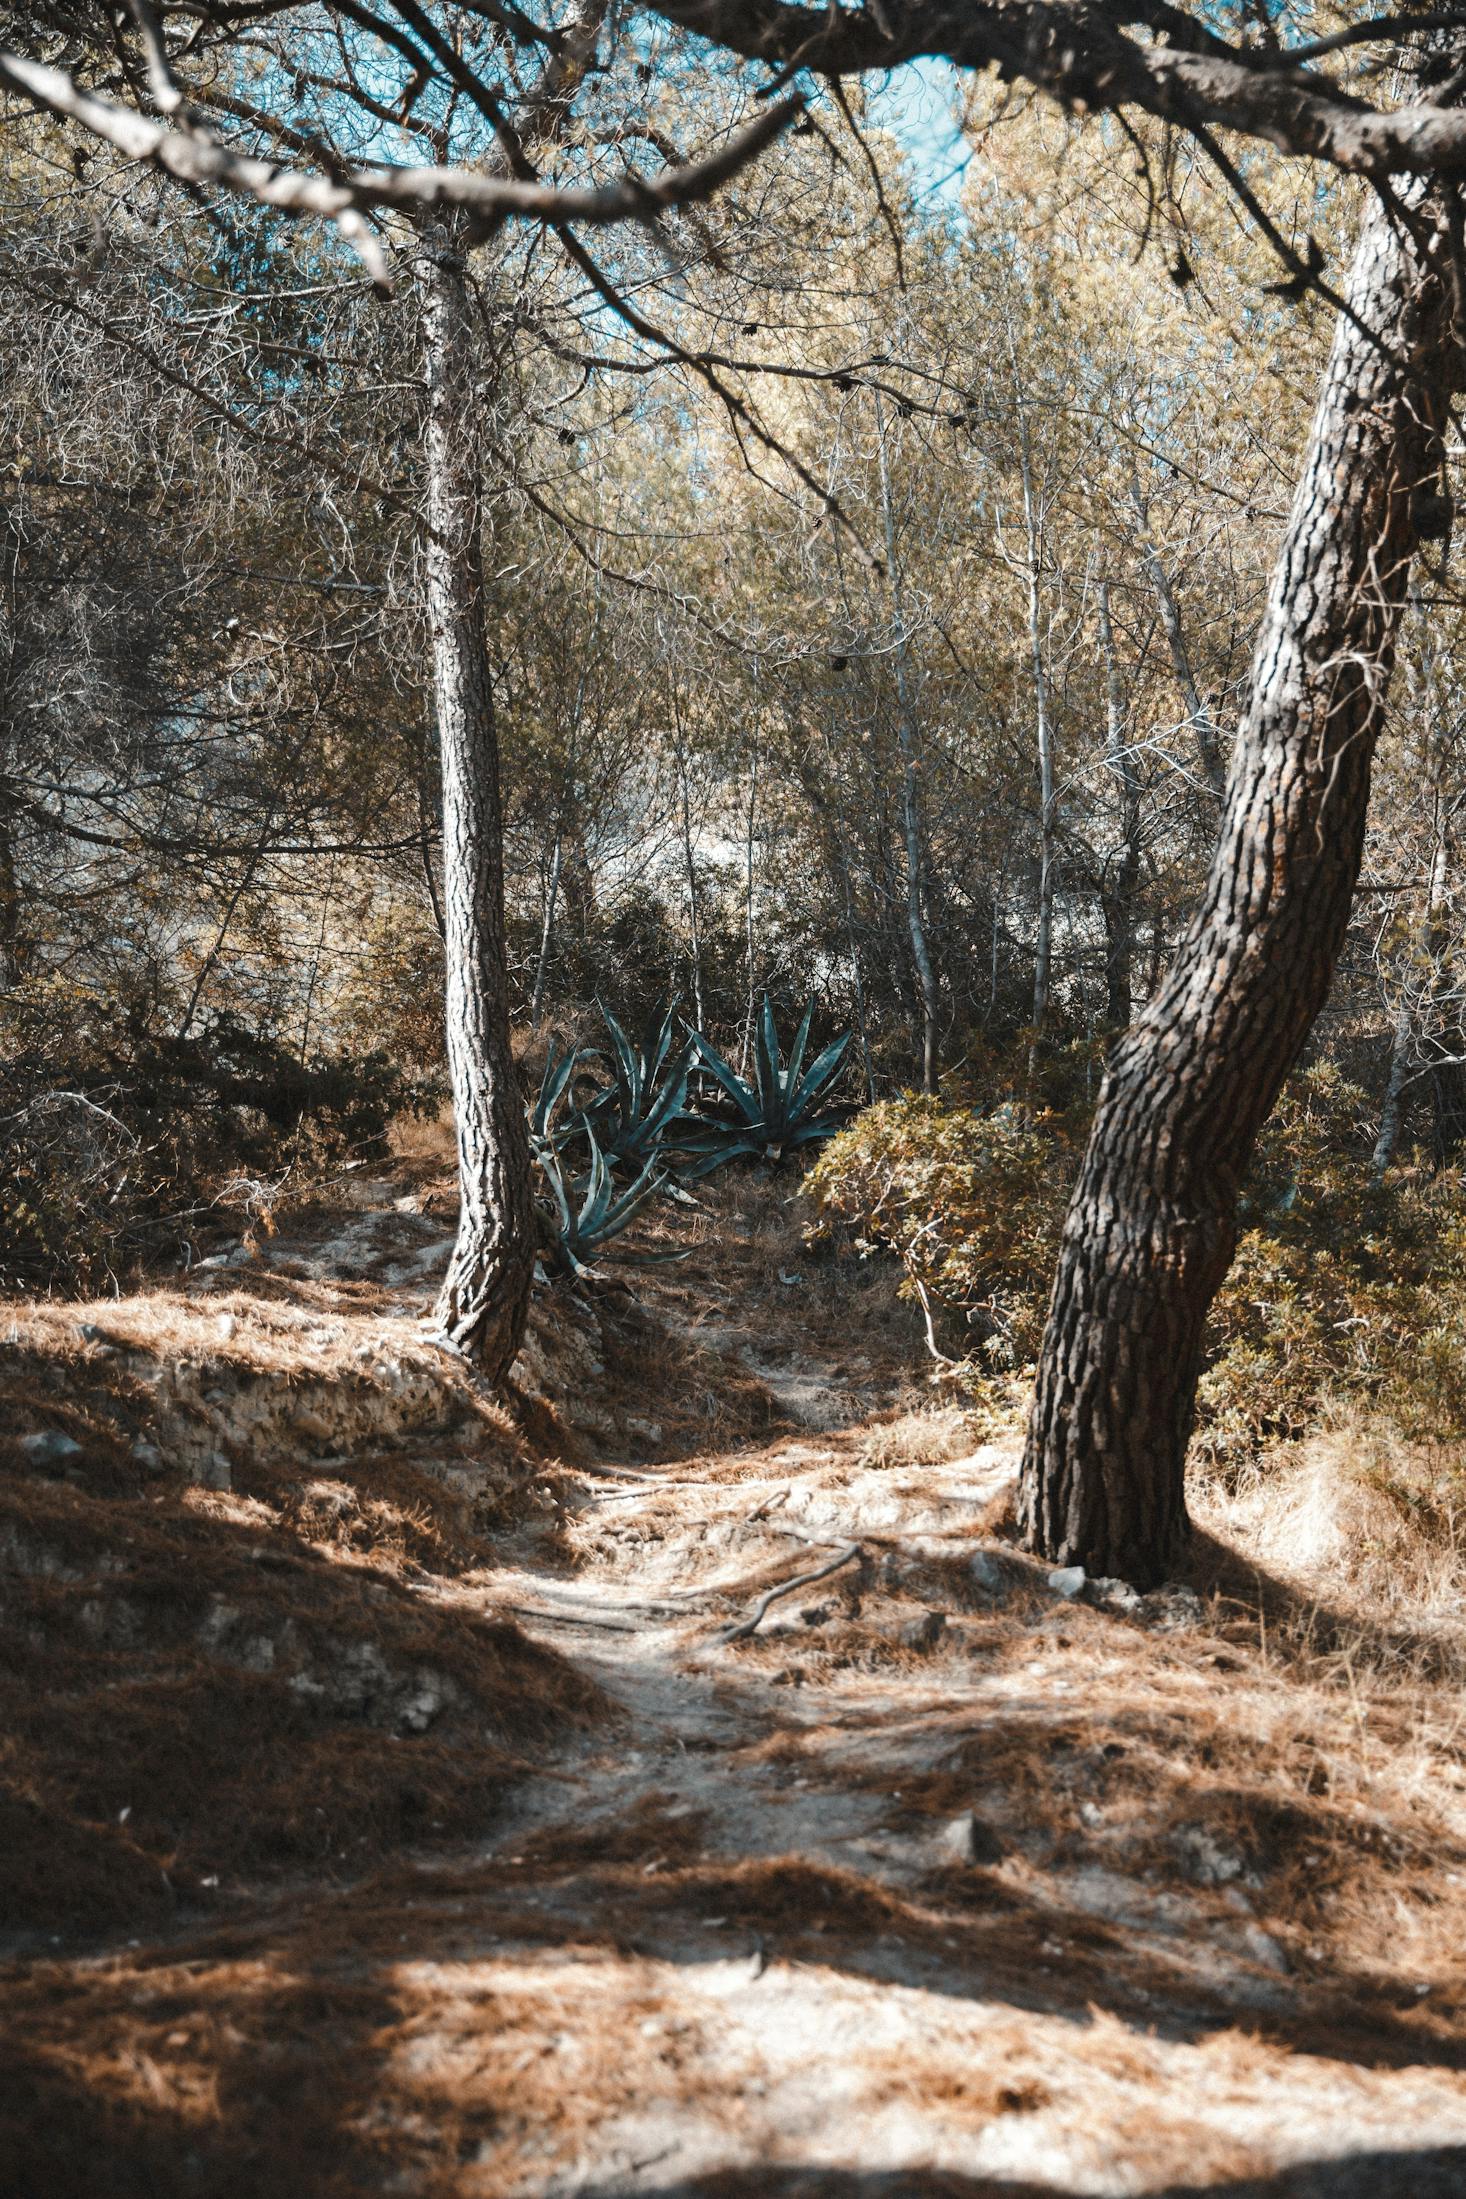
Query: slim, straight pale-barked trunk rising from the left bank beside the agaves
{"x":487,"y":1292}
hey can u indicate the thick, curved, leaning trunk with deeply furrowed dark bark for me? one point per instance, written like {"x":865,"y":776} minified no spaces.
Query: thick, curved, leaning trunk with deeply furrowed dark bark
{"x":1153,"y":1224}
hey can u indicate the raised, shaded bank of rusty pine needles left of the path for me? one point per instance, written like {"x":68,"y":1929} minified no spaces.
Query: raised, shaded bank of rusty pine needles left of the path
{"x":201,"y":1688}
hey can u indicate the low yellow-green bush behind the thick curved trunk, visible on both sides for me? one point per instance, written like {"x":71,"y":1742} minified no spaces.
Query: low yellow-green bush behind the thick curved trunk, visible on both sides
{"x":1342,"y":1288}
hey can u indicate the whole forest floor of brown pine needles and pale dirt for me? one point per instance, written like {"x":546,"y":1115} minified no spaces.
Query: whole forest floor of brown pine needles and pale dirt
{"x":390,"y":1811}
